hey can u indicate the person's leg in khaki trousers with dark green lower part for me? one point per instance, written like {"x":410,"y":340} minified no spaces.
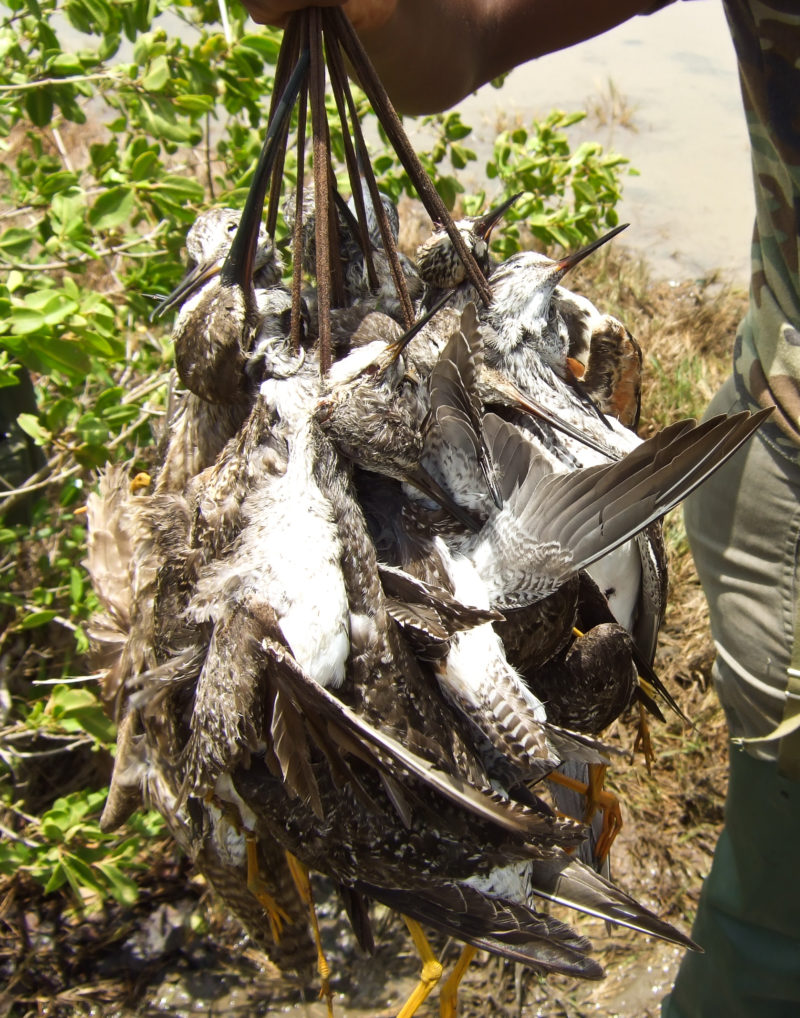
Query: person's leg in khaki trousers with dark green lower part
{"x":745,"y":529}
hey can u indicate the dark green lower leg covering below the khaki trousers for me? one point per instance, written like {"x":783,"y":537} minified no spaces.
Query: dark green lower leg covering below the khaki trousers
{"x":750,"y":913}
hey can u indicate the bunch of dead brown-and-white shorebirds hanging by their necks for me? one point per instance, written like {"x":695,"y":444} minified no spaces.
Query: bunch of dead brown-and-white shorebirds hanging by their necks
{"x":378,"y":618}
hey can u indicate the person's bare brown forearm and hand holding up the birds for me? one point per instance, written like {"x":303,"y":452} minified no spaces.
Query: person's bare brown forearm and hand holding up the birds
{"x":432,"y":53}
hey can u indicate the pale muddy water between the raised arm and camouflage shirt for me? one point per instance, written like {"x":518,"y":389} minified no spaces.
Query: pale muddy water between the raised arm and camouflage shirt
{"x":692,"y":208}
